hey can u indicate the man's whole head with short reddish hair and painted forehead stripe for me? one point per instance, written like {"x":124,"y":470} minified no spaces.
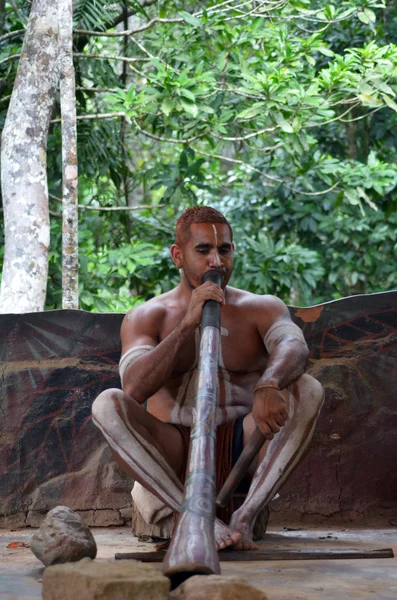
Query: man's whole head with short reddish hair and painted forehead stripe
{"x":204,"y":242}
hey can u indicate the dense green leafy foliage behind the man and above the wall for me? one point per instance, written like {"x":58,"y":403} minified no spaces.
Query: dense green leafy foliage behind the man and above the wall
{"x":283,"y":116}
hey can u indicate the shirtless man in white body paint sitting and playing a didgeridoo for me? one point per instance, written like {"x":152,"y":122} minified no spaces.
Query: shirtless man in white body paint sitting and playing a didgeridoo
{"x":261,"y":379}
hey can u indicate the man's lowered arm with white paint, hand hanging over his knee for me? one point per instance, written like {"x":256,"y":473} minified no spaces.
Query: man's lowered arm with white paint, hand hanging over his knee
{"x":288,"y":354}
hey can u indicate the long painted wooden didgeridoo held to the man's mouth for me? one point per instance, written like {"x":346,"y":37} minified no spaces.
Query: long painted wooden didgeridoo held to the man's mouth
{"x":193,"y":548}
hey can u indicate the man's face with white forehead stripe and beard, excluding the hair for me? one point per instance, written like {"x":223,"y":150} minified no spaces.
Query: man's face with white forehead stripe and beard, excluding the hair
{"x":208,"y":247}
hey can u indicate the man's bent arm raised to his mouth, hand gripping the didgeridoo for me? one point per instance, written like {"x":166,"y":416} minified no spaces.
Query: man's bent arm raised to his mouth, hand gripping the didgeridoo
{"x":141,"y":326}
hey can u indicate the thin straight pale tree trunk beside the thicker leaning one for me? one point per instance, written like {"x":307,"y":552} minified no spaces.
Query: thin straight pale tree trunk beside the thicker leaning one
{"x":70,"y":297}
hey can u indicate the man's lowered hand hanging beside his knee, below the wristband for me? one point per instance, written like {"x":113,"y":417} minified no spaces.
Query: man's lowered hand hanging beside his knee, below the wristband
{"x":269,"y":411}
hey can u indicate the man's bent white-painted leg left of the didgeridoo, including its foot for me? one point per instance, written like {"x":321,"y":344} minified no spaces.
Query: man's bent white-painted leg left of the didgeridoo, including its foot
{"x":139,"y":442}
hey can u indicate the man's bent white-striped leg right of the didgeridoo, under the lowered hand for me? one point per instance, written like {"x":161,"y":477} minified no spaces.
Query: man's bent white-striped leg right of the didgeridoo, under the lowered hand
{"x":280,"y":456}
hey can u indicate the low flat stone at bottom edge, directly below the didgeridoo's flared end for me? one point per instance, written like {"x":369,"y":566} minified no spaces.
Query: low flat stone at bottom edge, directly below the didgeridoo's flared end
{"x":216,"y":587}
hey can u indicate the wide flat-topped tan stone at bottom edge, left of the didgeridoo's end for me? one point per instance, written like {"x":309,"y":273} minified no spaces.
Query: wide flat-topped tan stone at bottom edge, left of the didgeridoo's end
{"x":104,"y":580}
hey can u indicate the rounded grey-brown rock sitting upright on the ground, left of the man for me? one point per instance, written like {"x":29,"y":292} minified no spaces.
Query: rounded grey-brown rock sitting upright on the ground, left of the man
{"x":63,"y":537}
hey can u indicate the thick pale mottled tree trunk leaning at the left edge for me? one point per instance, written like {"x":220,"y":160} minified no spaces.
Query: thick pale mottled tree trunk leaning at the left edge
{"x":23,"y":158}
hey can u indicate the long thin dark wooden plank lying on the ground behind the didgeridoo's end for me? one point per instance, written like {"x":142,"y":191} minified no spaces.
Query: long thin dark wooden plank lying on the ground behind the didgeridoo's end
{"x":260,"y":555}
